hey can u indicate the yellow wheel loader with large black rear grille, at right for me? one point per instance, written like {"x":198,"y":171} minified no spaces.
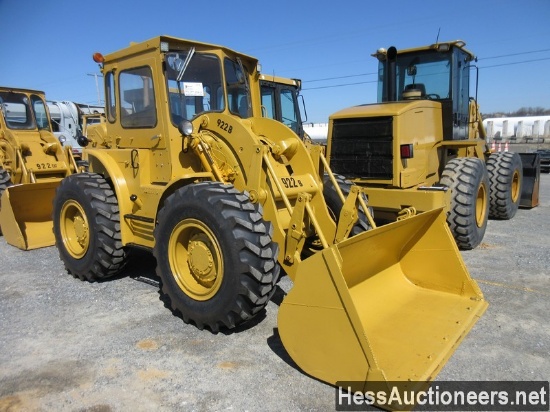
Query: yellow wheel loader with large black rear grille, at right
{"x":422,"y":146}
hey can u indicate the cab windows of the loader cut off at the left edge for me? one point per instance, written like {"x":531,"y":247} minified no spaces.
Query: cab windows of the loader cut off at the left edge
{"x":23,"y":113}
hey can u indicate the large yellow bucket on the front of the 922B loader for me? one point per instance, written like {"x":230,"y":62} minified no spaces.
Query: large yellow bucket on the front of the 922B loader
{"x":390,"y":304}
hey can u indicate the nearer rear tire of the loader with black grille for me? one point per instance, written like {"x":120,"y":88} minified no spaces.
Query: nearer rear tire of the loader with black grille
{"x":468,"y":181}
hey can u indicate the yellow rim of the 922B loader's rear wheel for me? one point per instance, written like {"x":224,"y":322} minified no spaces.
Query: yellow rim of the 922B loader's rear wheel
{"x":75,"y":230}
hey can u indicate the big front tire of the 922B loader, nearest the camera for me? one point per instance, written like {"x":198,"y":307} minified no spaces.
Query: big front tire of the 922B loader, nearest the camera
{"x":215,"y":256}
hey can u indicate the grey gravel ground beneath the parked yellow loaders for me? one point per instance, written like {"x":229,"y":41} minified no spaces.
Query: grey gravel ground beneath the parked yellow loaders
{"x":67,"y":345}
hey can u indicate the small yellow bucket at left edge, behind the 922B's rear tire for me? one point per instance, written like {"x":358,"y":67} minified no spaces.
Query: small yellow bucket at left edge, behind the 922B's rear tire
{"x":26,"y":214}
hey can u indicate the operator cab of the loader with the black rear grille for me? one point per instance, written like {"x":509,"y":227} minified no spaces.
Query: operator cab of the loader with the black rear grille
{"x":440,"y":72}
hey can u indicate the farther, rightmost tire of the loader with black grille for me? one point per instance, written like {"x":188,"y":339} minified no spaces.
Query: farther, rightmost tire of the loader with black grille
{"x":505,"y":177}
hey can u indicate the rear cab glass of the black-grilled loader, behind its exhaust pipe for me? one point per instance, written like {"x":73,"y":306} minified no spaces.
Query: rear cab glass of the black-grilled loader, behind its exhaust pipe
{"x":428,"y":74}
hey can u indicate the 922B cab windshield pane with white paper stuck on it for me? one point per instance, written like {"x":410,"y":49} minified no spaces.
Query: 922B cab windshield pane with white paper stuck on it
{"x":194,"y":84}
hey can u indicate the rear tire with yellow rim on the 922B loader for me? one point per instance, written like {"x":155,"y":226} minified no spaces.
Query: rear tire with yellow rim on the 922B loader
{"x":86,"y":225}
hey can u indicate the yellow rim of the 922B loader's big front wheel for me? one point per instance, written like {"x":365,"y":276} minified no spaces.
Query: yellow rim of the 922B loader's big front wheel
{"x":195,"y":259}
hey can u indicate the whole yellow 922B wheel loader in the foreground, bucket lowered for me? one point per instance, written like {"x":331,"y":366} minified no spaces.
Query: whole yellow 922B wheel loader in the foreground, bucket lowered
{"x":186,"y":166}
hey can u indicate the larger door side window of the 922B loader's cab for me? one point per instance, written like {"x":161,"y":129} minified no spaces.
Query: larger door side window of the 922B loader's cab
{"x":137,"y":105}
